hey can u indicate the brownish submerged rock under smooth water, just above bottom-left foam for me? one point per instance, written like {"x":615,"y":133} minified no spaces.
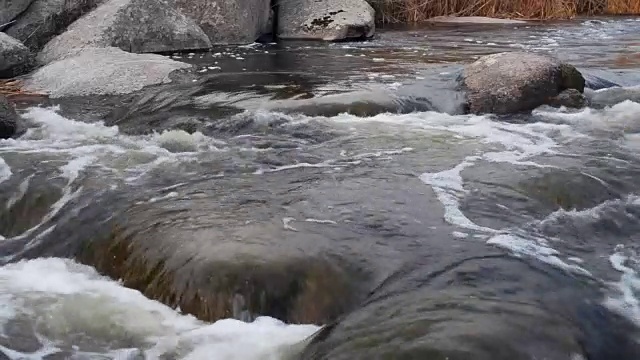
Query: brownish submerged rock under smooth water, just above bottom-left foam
{"x":227,"y":256}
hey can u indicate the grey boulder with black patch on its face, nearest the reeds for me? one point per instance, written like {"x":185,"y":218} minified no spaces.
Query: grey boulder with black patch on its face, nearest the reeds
{"x":325,"y":20}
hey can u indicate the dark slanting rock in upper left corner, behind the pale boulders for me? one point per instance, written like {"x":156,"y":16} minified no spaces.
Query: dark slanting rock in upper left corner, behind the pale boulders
{"x":45,"y":19}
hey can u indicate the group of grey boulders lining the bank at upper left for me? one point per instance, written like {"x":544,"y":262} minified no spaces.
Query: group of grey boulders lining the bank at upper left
{"x":100,"y":47}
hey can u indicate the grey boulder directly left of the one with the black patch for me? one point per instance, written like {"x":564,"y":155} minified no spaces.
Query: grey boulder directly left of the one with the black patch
{"x":228,"y":21}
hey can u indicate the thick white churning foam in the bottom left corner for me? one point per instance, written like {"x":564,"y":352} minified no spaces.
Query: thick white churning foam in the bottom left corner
{"x":60,"y":299}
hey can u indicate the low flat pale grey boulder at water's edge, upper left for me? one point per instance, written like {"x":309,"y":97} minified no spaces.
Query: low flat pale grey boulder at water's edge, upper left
{"x":102,"y":71}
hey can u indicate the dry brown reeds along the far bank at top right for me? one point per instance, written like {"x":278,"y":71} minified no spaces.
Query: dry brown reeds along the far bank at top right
{"x":415,"y":11}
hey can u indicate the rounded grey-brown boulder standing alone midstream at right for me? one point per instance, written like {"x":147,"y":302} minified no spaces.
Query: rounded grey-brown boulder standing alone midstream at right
{"x":514,"y":82}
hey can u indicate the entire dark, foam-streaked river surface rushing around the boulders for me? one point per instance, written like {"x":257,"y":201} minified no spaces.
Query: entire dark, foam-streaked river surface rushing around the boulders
{"x":454,"y":236}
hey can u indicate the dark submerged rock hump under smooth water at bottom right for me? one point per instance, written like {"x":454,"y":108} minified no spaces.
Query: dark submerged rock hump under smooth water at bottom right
{"x":473,"y":310}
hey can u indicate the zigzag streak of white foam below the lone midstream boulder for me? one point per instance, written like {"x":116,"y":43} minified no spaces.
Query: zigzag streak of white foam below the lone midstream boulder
{"x":517,"y":144}
